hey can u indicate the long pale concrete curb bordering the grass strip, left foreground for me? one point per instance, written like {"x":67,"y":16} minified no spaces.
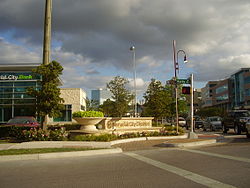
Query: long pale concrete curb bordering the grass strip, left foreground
{"x":57,"y":155}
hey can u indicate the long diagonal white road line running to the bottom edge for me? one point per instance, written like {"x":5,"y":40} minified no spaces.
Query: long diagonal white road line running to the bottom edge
{"x":181,"y":172}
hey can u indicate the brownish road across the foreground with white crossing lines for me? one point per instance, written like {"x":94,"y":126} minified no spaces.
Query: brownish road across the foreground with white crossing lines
{"x":222,"y":165}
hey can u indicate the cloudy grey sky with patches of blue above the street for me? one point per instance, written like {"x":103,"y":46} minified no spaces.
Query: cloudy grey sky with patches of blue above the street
{"x":91,"y":38}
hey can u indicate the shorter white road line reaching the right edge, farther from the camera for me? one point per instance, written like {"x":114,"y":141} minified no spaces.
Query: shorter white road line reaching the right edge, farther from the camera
{"x":219,"y":155}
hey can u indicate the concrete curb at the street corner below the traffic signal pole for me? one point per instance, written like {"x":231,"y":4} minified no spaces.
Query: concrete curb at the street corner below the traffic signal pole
{"x":191,"y":144}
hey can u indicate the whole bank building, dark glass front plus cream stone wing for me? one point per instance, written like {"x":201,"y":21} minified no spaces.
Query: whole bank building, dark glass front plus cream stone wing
{"x":14,"y":81}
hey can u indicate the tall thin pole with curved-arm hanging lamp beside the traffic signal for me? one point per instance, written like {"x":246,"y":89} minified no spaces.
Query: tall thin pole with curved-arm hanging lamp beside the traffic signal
{"x":176,"y":67}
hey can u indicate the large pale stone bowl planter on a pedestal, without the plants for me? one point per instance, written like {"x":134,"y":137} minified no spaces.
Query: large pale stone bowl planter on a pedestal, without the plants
{"x":88,"y":123}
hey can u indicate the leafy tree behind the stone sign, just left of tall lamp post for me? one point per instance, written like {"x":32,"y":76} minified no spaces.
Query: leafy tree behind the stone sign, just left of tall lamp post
{"x":122,"y":97}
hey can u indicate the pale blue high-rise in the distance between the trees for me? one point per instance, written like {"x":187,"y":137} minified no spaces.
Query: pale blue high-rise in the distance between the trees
{"x":100,"y":95}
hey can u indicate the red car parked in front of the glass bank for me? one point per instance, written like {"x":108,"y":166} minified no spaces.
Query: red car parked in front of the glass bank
{"x":23,"y":121}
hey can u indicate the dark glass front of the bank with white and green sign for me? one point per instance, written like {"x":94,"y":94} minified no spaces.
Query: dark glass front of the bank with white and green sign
{"x":14,"y":81}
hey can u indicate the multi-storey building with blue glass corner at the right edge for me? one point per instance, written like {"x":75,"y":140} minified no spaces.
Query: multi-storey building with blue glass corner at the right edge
{"x":230,"y":93}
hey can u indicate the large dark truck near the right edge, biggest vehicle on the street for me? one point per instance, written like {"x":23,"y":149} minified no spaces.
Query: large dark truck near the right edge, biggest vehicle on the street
{"x":236,"y":120}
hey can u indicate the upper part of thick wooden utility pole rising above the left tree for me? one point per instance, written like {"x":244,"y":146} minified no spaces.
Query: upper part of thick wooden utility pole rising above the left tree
{"x":47,"y":32}
